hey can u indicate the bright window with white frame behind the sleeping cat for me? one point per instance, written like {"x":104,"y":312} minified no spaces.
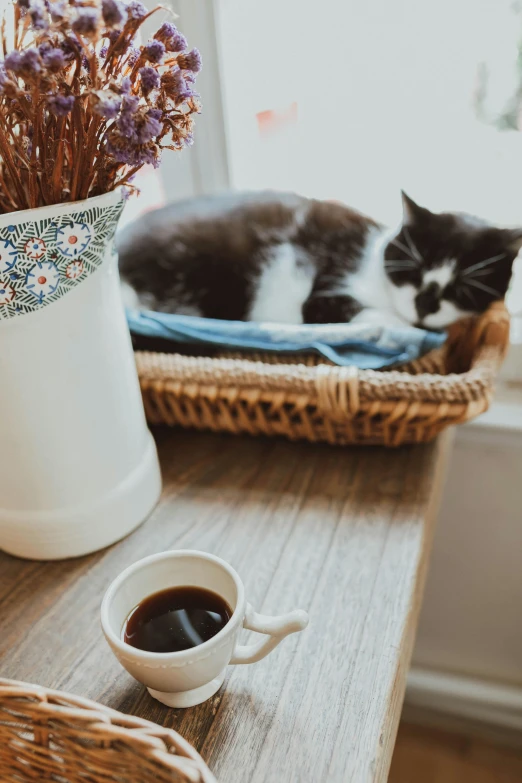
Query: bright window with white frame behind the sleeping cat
{"x":354,"y":101}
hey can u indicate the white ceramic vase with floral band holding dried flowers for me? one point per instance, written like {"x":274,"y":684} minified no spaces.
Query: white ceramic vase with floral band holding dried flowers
{"x":79,"y":468}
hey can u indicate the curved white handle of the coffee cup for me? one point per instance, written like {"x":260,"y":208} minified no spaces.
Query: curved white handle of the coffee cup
{"x":276,"y":629}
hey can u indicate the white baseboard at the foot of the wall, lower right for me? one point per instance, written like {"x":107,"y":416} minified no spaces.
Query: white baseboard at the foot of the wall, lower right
{"x":470,"y":699}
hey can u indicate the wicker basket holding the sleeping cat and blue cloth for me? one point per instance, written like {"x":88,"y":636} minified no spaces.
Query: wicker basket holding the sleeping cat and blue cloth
{"x":316,"y":401}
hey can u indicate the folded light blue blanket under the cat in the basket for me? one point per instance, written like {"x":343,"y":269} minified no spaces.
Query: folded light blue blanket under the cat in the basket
{"x":361,"y":345}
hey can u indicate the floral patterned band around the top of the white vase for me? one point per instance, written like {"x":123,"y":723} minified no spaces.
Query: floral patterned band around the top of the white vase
{"x":42,"y":259}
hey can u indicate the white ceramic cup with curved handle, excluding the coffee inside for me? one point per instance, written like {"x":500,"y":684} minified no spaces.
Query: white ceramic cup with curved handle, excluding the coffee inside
{"x":189,"y":677}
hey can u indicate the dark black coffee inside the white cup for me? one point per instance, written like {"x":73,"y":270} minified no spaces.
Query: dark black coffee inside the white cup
{"x":176,"y":619}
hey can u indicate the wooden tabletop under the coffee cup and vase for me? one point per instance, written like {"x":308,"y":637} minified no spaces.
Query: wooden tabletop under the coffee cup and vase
{"x":343,"y":533}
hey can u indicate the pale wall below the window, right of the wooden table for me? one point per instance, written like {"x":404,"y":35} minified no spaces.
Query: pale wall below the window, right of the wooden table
{"x":471,"y":622}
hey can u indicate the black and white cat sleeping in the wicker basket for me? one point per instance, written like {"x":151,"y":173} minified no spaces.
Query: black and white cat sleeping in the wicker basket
{"x":288,"y":259}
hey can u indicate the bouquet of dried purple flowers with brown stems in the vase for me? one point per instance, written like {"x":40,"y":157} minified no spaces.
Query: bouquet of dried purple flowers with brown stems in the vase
{"x":82,"y":106}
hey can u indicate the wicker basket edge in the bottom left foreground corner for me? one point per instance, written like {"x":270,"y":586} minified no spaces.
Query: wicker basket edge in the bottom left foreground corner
{"x":49,"y":735}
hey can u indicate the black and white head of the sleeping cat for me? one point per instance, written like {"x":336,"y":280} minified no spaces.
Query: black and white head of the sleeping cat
{"x":446,"y":266}
